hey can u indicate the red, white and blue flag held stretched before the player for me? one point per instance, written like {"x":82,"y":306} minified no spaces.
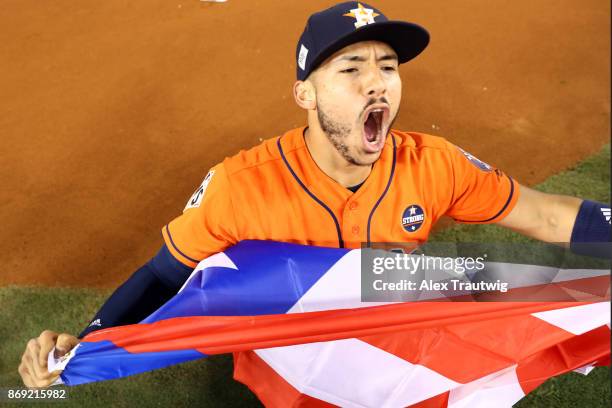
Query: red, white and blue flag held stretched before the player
{"x":294,"y":318}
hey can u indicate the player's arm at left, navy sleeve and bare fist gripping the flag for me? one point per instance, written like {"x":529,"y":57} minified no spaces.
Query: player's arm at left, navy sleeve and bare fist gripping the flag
{"x":145,"y":291}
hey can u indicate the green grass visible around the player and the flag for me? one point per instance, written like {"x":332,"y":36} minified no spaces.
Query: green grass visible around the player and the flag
{"x":26,"y":311}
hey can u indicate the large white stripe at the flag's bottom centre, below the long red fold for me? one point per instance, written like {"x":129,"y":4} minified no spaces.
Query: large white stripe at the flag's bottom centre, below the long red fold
{"x":352,"y":373}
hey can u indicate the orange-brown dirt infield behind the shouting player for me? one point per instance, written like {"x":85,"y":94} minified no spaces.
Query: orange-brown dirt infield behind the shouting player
{"x":112,"y":112}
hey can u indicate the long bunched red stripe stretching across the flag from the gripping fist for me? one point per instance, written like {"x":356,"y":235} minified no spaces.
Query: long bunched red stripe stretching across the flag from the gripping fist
{"x":224,"y":334}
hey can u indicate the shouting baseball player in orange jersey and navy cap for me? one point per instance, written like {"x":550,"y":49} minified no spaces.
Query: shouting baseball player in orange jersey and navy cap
{"x":347,"y":177}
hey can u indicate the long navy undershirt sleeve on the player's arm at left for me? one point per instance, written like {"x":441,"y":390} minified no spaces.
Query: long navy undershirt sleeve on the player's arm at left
{"x":145,"y":291}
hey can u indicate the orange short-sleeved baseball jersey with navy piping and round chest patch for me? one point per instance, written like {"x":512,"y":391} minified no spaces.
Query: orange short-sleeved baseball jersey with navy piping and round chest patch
{"x":275,"y":191}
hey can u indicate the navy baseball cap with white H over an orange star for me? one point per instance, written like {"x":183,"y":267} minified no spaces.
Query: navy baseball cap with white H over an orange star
{"x":346,"y":23}
